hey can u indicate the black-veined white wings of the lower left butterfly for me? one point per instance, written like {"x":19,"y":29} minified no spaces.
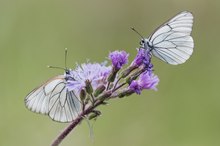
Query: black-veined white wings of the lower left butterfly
{"x":53,"y":99}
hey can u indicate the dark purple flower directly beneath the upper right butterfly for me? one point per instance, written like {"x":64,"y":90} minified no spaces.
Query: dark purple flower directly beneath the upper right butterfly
{"x":143,"y":57}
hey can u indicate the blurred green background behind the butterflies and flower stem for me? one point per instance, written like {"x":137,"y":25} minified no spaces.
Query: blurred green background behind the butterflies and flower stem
{"x":185,"y":111}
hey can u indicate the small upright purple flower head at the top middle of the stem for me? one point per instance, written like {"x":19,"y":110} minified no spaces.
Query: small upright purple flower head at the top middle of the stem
{"x":118,"y":58}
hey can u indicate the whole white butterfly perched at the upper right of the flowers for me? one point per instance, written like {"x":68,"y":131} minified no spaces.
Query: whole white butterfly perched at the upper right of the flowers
{"x":171,"y":42}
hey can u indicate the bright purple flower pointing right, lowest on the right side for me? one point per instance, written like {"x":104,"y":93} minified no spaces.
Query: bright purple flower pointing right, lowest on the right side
{"x":147,"y":80}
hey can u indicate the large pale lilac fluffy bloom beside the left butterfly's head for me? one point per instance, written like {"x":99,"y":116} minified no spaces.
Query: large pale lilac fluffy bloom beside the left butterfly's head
{"x":95,"y":73}
